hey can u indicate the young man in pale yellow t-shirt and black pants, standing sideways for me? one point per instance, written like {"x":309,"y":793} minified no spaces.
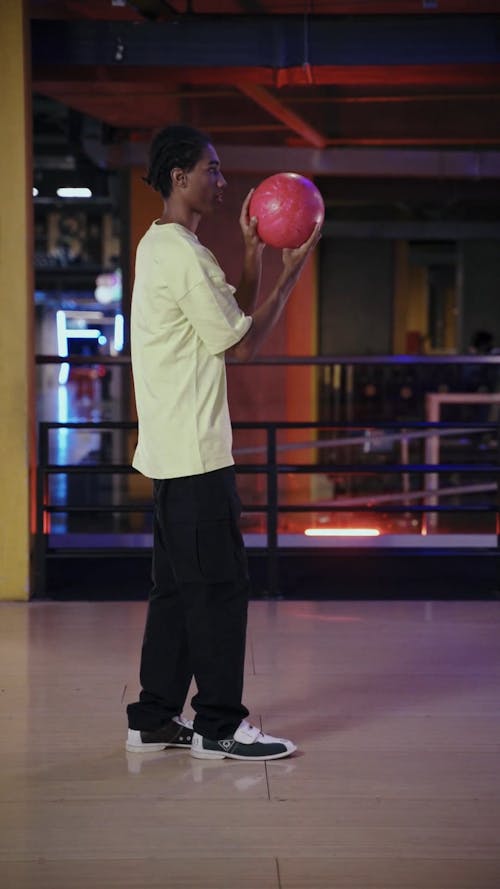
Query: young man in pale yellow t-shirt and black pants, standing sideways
{"x":185,"y":318}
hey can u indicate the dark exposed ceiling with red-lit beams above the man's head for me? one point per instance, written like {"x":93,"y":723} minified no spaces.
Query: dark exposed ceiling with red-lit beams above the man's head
{"x":353,"y":88}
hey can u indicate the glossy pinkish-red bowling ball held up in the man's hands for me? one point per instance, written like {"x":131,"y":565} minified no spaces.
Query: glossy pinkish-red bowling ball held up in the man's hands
{"x":287,"y":207}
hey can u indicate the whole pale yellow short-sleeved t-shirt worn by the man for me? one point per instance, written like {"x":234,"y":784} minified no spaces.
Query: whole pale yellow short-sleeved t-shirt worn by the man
{"x":184,"y":317}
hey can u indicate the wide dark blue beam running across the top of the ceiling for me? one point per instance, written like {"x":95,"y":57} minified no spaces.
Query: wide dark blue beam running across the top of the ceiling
{"x":270,"y":42}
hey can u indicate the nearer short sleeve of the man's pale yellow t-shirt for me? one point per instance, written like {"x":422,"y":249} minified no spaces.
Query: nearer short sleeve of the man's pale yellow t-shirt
{"x":211,"y":308}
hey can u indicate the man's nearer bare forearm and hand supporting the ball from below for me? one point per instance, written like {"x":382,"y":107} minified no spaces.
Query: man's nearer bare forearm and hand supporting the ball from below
{"x":268,"y":313}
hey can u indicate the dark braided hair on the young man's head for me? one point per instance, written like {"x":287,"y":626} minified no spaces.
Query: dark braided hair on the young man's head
{"x":175,"y":146}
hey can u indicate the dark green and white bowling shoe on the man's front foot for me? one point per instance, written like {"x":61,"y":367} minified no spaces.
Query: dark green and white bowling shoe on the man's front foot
{"x":247,"y":743}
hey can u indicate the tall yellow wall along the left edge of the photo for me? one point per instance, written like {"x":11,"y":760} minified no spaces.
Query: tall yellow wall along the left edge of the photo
{"x":16,"y":309}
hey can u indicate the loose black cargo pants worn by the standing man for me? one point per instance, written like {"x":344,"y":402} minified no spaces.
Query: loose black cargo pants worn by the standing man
{"x":197,"y":614}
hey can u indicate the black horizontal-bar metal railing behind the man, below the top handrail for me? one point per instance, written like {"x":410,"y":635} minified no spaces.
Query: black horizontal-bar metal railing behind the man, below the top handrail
{"x":273,"y":468}
